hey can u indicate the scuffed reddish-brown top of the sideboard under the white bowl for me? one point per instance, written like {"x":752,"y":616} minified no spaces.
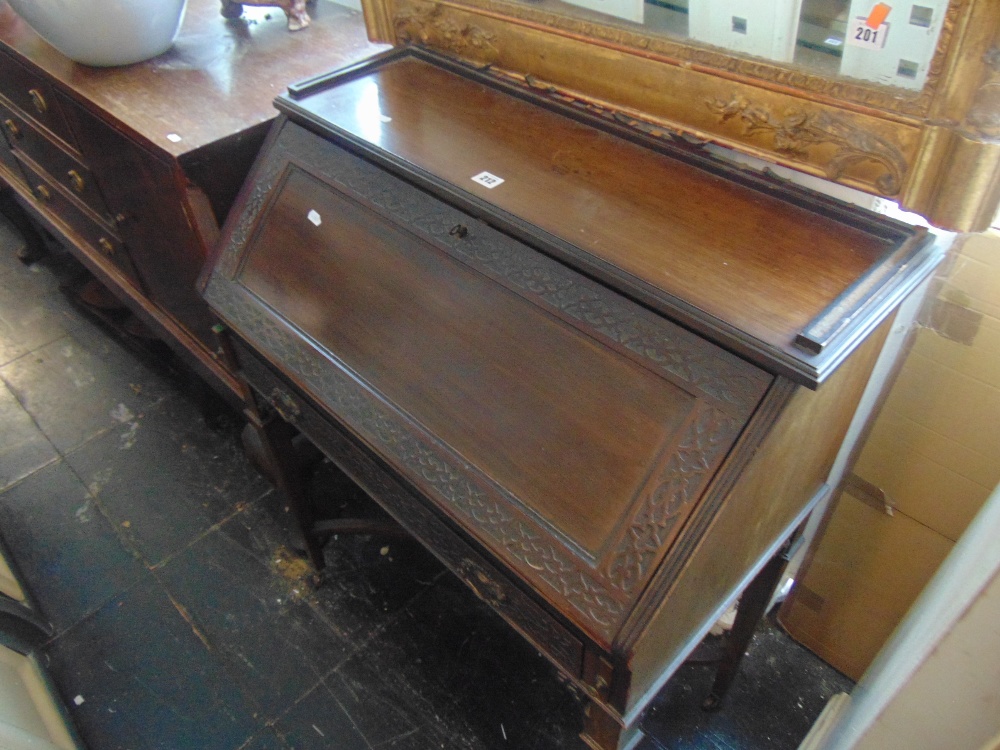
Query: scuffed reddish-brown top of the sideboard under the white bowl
{"x":219,"y":78}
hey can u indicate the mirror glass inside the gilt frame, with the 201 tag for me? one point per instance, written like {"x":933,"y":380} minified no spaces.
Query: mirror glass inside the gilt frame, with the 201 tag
{"x":889,"y":43}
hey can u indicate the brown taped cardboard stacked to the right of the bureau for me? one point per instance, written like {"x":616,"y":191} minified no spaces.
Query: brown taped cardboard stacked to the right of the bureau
{"x":933,"y":457}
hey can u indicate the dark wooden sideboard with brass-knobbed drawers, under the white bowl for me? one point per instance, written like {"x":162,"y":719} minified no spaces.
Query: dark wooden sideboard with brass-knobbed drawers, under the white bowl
{"x":134,"y":168}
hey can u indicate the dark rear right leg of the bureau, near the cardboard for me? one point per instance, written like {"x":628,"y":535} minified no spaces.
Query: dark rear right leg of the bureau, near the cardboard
{"x":753,"y":604}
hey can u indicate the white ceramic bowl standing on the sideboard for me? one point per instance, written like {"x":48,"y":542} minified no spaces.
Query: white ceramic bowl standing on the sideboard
{"x":105,"y":32}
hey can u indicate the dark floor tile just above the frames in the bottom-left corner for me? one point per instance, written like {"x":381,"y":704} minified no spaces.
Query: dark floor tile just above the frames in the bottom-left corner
{"x":71,"y":558}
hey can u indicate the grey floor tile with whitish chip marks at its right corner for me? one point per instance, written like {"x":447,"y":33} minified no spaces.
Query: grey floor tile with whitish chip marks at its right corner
{"x":82,"y":385}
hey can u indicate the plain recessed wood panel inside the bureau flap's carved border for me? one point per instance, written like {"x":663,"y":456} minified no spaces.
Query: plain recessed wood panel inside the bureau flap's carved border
{"x":570,"y":428}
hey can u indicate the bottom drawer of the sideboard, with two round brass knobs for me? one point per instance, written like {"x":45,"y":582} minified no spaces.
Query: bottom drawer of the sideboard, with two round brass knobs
{"x":106,"y":247}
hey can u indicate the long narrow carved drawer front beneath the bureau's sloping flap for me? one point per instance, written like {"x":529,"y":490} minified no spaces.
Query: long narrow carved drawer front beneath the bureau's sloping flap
{"x":479,"y":574}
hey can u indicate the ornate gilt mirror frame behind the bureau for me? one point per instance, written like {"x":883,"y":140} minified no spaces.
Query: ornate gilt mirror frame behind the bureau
{"x":935,"y":151}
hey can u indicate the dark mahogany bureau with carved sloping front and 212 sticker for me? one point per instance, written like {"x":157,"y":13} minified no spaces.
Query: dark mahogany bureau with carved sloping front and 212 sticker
{"x":600,"y":375}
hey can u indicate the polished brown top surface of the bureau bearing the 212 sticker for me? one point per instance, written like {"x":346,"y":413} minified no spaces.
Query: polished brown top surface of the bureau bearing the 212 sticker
{"x":759,"y":263}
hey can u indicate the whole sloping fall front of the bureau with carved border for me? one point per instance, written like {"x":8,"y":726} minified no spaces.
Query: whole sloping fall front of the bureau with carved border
{"x":568,"y":430}
